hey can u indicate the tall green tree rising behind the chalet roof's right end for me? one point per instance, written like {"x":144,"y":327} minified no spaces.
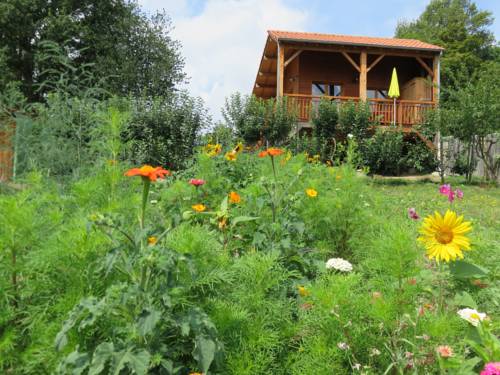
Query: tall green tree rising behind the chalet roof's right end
{"x":462,"y":29}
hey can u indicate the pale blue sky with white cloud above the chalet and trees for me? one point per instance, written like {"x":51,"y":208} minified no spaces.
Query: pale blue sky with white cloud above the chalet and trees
{"x":222,"y":40}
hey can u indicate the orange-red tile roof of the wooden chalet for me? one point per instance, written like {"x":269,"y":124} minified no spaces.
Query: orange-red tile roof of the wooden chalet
{"x":353,"y":40}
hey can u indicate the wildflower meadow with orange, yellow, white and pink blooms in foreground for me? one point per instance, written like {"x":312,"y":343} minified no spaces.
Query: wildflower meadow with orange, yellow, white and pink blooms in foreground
{"x":251,"y":261}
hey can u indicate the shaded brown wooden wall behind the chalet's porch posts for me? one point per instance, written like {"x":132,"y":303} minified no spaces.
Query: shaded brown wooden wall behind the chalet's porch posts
{"x":332,"y":67}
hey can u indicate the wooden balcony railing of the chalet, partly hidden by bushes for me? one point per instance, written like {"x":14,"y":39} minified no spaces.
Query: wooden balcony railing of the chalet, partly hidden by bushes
{"x":408,"y":112}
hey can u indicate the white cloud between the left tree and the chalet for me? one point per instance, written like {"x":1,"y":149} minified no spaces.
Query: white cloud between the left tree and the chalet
{"x":223,"y":42}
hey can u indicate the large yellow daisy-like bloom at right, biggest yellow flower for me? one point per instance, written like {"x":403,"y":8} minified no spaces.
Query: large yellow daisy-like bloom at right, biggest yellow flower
{"x":444,"y":237}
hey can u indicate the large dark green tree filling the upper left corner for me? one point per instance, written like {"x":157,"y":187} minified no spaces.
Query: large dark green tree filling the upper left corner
{"x":133,"y":52}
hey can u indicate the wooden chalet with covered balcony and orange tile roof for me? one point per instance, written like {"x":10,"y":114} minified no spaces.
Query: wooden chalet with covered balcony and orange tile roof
{"x":308,"y":66}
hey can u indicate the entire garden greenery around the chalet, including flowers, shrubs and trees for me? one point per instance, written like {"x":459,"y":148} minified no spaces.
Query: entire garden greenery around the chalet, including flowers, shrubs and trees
{"x":140,"y":236}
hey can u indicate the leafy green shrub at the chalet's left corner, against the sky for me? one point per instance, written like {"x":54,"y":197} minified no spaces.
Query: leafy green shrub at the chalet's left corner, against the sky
{"x":254,"y":119}
